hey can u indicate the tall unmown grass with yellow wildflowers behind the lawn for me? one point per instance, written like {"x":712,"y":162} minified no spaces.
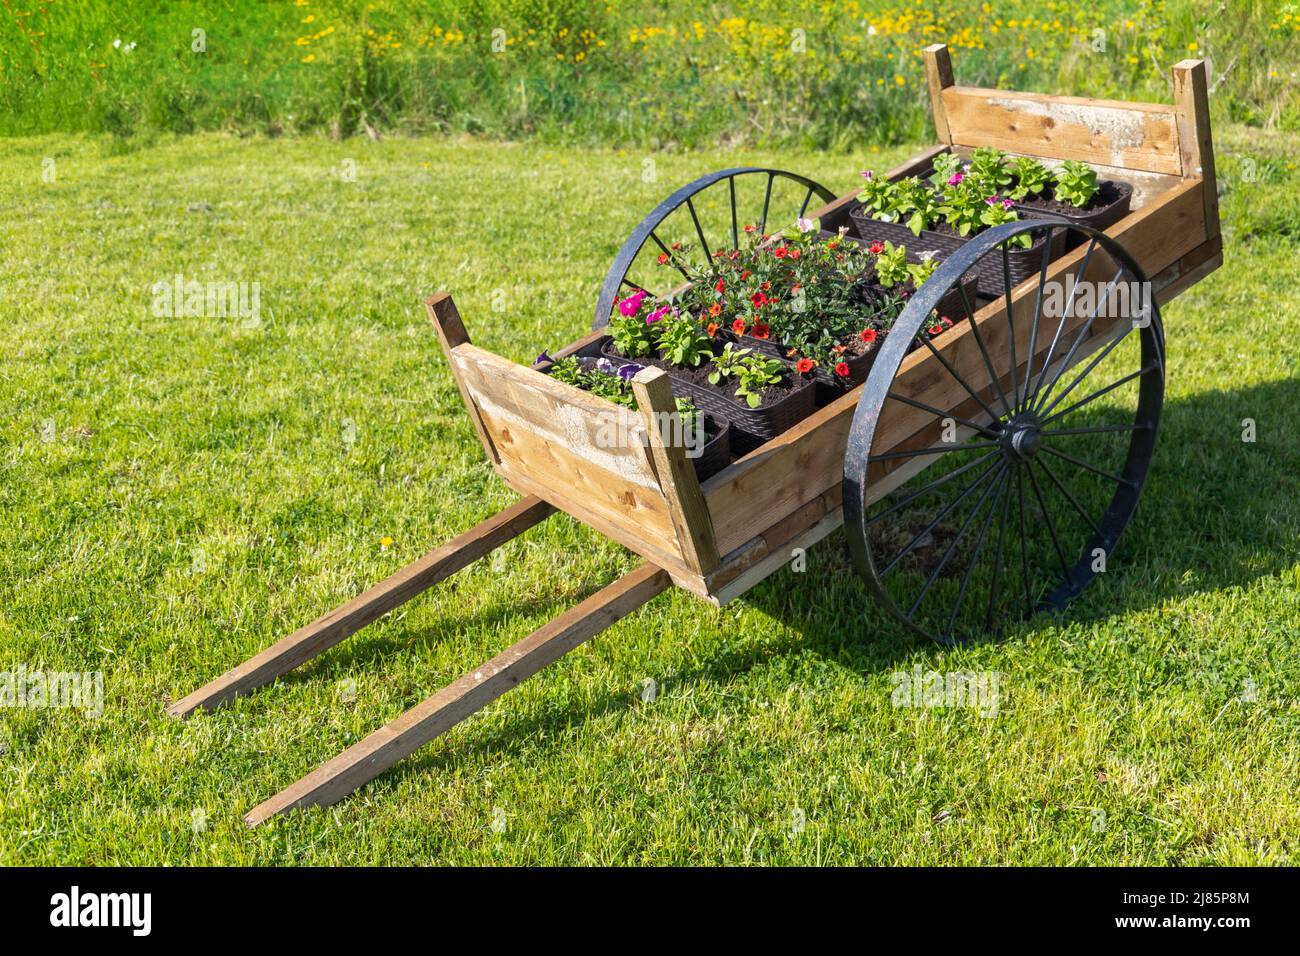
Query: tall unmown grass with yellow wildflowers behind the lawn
{"x":664,"y":73}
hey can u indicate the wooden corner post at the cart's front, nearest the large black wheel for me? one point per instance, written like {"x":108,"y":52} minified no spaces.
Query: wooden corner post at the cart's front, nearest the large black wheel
{"x":678,"y":479}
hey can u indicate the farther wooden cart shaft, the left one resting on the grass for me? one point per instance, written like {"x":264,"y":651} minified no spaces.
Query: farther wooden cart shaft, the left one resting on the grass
{"x":323,"y":634}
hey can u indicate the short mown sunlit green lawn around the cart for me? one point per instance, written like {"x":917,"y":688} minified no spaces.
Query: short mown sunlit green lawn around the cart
{"x":129,"y":442}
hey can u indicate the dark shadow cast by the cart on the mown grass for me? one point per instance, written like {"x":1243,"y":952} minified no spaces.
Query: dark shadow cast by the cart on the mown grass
{"x":1203,"y":468}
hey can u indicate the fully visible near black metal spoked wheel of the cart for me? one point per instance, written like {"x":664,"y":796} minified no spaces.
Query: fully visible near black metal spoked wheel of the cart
{"x":1011,"y":498}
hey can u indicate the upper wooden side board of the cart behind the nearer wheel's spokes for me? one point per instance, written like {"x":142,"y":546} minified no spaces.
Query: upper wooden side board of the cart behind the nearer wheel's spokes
{"x":808,"y":461}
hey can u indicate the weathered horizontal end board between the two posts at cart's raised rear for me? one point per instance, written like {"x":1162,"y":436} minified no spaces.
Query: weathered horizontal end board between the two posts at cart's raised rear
{"x":1130,"y":136}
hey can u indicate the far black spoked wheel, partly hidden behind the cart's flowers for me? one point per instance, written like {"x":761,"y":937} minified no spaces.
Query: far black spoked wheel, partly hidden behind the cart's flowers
{"x":700,"y":219}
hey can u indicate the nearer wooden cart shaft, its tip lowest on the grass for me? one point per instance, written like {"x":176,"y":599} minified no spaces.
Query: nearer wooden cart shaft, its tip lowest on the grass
{"x":385,"y":747}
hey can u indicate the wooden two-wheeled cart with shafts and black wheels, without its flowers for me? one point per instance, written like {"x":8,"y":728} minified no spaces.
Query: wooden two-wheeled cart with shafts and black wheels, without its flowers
{"x":993,"y":395}
